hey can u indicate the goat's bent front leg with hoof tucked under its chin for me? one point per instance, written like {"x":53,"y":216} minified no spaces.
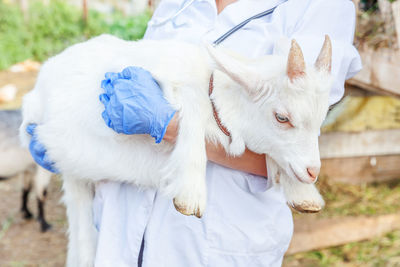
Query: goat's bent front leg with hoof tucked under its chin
{"x":302,"y":197}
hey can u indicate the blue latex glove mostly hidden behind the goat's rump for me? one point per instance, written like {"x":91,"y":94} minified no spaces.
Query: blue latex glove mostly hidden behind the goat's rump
{"x":38,"y":151}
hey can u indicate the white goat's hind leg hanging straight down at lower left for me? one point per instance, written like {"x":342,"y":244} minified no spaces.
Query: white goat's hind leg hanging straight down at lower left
{"x":78,"y":198}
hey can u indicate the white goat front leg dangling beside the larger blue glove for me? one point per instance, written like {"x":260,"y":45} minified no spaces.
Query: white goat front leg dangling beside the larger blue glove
{"x":184,"y":175}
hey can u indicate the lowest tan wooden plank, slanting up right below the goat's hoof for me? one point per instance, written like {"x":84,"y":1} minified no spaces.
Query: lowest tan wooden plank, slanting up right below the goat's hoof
{"x":311,"y":233}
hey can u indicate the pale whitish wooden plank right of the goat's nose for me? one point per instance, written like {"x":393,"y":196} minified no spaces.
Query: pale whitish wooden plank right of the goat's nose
{"x":368,"y":143}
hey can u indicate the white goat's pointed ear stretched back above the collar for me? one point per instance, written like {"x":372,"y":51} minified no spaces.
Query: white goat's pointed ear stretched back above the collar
{"x":234,"y":68}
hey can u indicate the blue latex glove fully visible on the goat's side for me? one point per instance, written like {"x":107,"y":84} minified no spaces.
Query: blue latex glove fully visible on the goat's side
{"x":134,"y":103}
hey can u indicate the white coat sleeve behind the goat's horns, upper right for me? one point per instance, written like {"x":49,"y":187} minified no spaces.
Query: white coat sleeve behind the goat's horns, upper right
{"x":337,"y":19}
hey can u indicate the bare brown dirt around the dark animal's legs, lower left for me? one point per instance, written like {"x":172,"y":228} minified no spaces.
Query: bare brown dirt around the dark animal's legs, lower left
{"x":21,"y":242}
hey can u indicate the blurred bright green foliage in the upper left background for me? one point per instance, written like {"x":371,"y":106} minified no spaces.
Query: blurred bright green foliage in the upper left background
{"x":49,"y":29}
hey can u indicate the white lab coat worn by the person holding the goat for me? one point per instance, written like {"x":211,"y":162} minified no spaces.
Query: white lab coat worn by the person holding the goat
{"x":246,"y":223}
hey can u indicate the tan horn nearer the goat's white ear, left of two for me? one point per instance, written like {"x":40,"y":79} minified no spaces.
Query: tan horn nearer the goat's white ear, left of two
{"x":296,"y":67}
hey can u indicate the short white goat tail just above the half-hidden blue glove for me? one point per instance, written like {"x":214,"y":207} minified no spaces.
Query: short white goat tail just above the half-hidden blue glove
{"x":32,"y":113}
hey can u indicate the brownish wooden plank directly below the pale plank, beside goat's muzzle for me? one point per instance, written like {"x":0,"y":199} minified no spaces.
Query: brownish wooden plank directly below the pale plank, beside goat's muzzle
{"x":362,"y":169}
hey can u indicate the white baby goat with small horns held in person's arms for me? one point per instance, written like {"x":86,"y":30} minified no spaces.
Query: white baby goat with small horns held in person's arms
{"x":272,"y":105}
